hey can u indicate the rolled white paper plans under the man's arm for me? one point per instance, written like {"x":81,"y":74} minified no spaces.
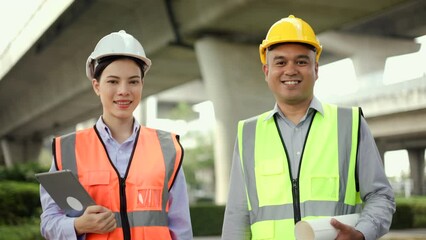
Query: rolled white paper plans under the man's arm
{"x":320,"y":228}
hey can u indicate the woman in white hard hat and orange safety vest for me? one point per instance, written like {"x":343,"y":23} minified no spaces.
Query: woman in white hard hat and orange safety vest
{"x":132,"y":172}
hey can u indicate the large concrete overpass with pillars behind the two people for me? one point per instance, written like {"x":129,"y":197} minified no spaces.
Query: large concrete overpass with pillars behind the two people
{"x":45,"y":91}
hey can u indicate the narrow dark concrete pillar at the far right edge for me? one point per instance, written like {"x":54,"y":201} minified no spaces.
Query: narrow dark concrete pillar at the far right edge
{"x":416,"y":157}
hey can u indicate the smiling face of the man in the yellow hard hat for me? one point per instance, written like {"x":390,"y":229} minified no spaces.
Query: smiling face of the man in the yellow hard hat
{"x":291,"y":72}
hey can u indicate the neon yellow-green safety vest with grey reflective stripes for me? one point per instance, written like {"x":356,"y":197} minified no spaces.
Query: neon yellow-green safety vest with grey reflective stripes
{"x":327,"y":187}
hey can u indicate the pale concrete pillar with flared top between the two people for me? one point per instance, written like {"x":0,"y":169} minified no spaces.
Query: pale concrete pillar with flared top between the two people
{"x":235,"y":84}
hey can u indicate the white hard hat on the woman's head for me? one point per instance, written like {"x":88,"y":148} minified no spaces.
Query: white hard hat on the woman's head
{"x":116,"y":44}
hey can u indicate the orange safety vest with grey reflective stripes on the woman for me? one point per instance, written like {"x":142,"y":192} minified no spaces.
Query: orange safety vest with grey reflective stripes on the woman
{"x":140,"y":199}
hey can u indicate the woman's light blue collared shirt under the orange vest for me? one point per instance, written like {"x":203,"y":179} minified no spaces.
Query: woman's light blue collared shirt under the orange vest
{"x":55,"y":225}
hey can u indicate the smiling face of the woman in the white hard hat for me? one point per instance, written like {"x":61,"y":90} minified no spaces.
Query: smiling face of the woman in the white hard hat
{"x":120,"y":89}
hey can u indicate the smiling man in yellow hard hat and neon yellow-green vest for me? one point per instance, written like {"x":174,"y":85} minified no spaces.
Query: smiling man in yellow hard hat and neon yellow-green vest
{"x":304,"y":159}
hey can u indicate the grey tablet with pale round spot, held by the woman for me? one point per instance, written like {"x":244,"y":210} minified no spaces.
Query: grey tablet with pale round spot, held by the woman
{"x":65,"y":189}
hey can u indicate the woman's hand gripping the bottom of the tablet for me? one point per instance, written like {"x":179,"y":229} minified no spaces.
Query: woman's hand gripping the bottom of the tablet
{"x":95,"y":219}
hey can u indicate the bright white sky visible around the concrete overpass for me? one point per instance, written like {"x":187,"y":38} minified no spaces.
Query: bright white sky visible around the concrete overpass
{"x":17,"y":16}
